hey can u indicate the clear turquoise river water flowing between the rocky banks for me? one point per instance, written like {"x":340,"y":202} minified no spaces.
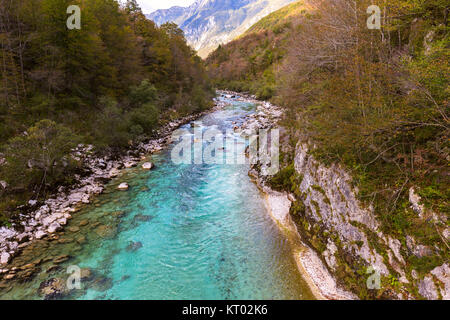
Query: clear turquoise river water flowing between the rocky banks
{"x":180,"y":232}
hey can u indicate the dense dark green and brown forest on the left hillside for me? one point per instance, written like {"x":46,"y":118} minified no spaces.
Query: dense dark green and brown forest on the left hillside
{"x":111,"y":83}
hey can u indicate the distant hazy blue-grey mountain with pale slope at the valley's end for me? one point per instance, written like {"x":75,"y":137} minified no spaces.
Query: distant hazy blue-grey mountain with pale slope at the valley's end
{"x":209,"y":23}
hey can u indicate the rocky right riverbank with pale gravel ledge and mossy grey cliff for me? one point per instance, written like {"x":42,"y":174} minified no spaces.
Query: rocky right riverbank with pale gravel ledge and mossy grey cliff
{"x":337,"y":233}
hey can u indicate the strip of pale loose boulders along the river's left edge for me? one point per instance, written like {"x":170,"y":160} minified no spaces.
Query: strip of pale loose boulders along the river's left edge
{"x":40,"y":220}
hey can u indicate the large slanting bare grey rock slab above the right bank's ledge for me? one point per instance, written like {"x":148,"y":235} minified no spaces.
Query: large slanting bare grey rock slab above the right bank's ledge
{"x":331,"y":202}
